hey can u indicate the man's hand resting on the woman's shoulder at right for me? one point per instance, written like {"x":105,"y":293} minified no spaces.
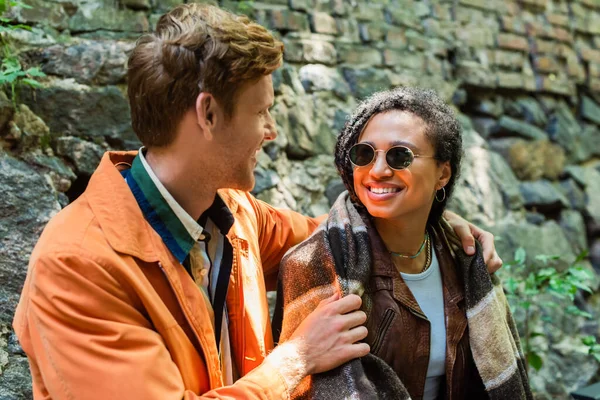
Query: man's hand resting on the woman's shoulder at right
{"x":467,"y":232}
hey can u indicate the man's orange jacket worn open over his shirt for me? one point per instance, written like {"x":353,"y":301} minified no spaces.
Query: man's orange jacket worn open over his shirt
{"x":107,"y":312}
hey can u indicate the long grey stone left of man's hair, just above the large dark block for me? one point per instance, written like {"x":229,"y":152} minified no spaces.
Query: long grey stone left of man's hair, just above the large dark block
{"x":101,"y":62}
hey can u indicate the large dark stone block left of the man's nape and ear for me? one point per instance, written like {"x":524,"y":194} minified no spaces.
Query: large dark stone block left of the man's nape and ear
{"x":84,"y":111}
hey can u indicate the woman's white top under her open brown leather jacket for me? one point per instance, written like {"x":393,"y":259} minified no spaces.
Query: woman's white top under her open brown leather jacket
{"x":428,"y":291}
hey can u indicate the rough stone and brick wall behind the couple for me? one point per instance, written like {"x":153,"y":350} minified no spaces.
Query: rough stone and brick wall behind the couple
{"x":523,"y":75}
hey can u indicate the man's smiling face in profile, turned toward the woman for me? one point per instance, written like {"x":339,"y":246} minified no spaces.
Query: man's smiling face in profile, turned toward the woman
{"x":245,"y":132}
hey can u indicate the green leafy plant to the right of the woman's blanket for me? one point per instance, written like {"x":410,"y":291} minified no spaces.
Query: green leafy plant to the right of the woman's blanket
{"x":537,"y":286}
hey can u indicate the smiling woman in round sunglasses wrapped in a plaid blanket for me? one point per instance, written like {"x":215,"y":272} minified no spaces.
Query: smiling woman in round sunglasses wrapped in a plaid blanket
{"x":434,"y":315}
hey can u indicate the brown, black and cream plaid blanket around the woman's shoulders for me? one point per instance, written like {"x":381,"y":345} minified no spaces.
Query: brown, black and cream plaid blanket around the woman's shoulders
{"x":337,"y":258}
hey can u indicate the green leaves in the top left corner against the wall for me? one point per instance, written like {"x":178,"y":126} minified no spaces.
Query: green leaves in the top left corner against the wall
{"x":12,"y":73}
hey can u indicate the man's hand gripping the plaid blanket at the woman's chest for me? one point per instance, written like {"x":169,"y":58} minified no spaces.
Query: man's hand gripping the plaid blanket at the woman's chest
{"x":328,"y":337}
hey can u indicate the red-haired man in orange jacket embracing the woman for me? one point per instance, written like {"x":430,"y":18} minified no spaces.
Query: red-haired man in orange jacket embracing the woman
{"x":152,"y":284}
